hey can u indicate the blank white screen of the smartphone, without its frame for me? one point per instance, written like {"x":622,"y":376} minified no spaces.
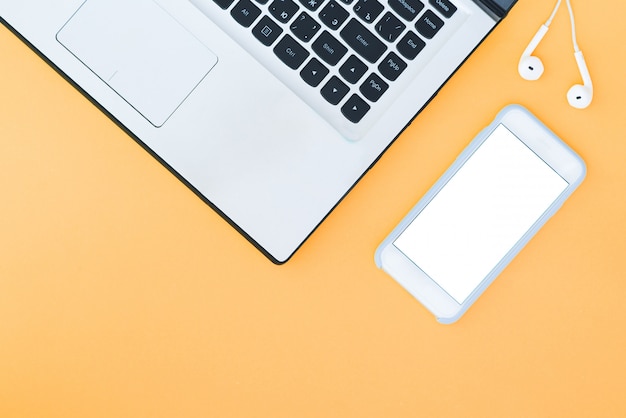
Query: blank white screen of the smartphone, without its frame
{"x":480,"y":214}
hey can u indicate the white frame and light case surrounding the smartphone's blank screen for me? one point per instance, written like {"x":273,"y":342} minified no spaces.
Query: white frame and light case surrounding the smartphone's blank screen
{"x":541,"y":140}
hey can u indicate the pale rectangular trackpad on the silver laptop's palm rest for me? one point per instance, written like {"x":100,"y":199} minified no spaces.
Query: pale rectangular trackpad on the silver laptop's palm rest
{"x":140,"y":51}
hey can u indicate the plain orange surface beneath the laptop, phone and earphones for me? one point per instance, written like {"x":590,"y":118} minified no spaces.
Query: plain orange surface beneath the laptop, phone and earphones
{"x":123,"y":295}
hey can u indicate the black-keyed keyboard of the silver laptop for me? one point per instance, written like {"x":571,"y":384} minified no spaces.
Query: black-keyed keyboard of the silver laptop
{"x":352,"y":52}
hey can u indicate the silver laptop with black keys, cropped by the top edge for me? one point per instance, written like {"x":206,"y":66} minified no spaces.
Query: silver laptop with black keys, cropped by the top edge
{"x":269,"y":110}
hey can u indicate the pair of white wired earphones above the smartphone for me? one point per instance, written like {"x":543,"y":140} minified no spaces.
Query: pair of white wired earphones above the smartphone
{"x":530,"y":67}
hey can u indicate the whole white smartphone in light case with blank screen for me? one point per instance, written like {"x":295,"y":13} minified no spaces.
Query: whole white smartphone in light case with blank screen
{"x":495,"y":197}
